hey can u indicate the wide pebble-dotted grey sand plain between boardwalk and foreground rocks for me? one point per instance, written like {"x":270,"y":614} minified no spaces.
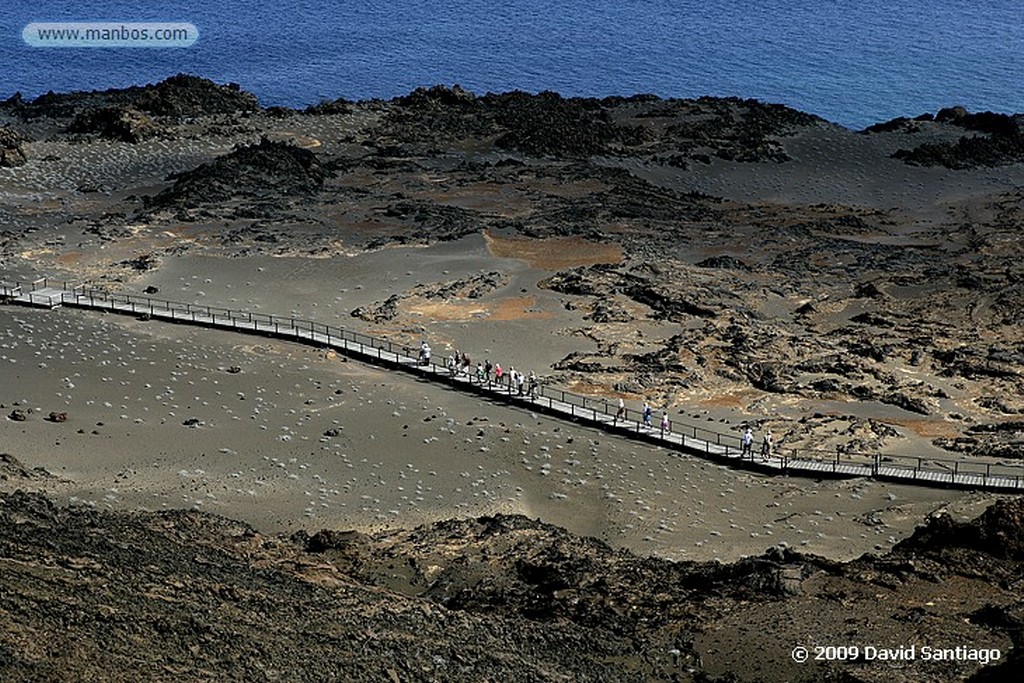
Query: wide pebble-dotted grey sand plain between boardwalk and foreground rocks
{"x":406,"y":452}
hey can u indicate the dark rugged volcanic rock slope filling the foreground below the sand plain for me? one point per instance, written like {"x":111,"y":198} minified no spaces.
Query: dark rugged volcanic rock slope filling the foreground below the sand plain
{"x":191,"y":596}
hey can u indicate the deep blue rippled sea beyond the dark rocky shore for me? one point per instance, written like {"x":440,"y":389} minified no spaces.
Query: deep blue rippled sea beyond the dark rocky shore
{"x":855,"y":63}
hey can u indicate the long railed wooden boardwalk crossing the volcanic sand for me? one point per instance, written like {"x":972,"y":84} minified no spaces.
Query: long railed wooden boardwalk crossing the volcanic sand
{"x":690,"y":439}
